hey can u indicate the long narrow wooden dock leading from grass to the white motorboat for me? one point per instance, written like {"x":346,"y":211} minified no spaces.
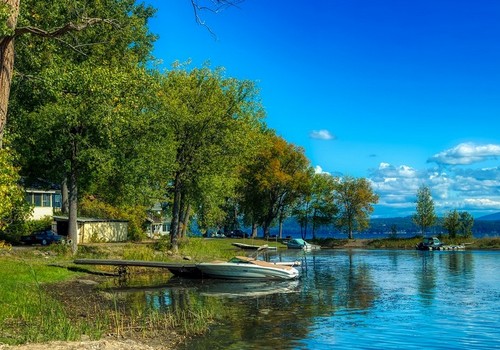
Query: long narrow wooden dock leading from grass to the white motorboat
{"x":179,"y":269}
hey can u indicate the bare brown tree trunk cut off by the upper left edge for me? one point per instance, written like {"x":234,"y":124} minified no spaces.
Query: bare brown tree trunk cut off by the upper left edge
{"x":7,"y":65}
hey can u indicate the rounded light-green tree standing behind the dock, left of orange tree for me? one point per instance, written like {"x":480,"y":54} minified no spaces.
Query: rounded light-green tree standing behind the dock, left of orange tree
{"x":208,"y":115}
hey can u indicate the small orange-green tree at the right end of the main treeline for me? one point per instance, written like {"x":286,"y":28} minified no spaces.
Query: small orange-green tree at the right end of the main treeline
{"x":354,"y":198}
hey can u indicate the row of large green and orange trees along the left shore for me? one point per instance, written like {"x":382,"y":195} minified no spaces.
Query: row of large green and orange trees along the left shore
{"x":89,"y":110}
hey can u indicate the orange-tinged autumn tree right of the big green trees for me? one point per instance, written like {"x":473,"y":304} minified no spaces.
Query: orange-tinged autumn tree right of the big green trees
{"x":274,"y":181}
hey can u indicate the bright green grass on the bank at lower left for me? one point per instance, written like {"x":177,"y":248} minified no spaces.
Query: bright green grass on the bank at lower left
{"x":27,"y":313}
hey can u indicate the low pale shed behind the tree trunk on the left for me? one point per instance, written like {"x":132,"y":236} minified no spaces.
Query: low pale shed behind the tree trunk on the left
{"x":95,"y":230}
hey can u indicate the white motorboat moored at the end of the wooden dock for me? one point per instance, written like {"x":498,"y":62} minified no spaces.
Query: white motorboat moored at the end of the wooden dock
{"x":245,"y":268}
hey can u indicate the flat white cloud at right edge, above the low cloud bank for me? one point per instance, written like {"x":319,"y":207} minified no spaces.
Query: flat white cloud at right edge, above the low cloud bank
{"x":466,"y":153}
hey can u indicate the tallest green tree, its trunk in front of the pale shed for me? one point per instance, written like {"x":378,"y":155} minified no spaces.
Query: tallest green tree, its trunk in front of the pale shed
{"x":121,"y":40}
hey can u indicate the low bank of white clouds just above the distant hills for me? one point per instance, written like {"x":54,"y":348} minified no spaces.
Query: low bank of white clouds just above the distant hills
{"x":474,"y":190}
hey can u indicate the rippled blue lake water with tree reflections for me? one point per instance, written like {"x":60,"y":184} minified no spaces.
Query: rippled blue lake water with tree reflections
{"x":356,"y":299}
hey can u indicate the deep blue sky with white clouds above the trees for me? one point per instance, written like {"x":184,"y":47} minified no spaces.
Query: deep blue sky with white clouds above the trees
{"x":403,"y":93}
